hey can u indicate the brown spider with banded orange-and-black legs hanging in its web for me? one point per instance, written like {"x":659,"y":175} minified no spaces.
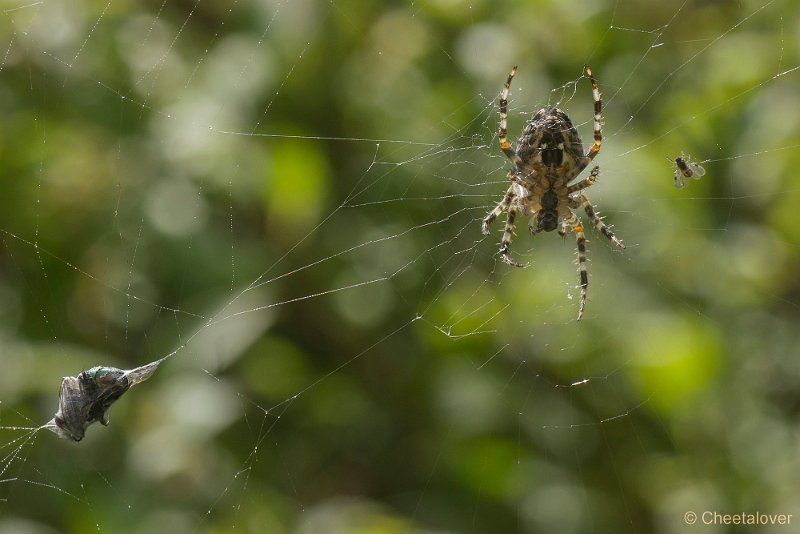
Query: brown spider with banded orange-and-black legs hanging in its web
{"x":549,"y":155}
